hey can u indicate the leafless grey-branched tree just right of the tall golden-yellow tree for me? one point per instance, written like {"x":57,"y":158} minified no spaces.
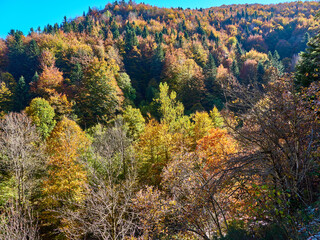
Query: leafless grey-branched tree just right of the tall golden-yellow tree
{"x":106,"y":212}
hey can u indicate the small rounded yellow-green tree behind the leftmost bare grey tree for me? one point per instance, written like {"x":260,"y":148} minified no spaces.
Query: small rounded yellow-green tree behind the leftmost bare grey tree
{"x":42,"y":115}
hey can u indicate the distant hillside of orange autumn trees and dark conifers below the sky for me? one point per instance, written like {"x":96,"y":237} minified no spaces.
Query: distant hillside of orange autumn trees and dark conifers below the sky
{"x":140,"y":45}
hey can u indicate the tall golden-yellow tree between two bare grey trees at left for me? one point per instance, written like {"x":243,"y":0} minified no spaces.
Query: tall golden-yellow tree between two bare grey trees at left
{"x":66,"y":178}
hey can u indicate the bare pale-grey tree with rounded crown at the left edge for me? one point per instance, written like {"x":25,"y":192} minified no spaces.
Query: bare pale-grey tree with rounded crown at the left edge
{"x":20,"y":153}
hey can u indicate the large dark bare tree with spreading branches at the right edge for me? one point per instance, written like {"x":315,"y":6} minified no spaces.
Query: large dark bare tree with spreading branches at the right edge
{"x":279,"y":132}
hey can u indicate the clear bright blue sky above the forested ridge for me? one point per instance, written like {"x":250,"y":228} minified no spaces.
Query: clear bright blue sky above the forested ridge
{"x":24,"y":14}
